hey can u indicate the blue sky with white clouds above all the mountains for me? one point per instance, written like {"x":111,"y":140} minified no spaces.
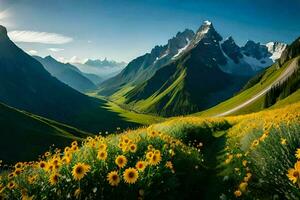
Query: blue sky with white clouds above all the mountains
{"x":121,"y":30}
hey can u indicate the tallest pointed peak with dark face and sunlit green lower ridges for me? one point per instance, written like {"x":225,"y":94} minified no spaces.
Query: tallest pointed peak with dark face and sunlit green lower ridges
{"x":192,"y":82}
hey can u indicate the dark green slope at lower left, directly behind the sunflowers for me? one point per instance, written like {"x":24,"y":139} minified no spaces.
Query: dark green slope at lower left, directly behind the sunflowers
{"x":24,"y":136}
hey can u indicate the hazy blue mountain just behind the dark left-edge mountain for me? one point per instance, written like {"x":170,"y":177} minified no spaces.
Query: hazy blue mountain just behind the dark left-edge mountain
{"x":67,"y":74}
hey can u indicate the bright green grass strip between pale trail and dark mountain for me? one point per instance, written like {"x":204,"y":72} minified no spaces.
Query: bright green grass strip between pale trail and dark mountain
{"x":268,"y":78}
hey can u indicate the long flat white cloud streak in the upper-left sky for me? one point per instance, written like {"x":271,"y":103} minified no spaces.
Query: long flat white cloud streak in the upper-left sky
{"x":39,"y":37}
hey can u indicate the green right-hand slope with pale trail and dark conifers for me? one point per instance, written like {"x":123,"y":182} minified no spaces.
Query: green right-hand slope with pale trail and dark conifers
{"x":282,"y":77}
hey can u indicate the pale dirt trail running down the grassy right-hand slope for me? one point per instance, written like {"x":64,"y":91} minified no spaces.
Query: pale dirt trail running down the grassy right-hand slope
{"x":289,"y":70}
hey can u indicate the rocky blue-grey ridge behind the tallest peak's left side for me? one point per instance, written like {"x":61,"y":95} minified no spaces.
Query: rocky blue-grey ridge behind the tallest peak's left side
{"x":143,"y":67}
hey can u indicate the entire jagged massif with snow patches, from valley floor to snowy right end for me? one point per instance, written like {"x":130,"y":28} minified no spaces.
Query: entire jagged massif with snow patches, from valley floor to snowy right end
{"x":192,"y":72}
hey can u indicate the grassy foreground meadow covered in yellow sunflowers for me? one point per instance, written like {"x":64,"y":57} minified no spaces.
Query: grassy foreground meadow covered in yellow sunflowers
{"x":246,"y":156}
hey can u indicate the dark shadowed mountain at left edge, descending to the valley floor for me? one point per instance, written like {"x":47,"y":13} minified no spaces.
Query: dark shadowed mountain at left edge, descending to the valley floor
{"x":26,"y":85}
